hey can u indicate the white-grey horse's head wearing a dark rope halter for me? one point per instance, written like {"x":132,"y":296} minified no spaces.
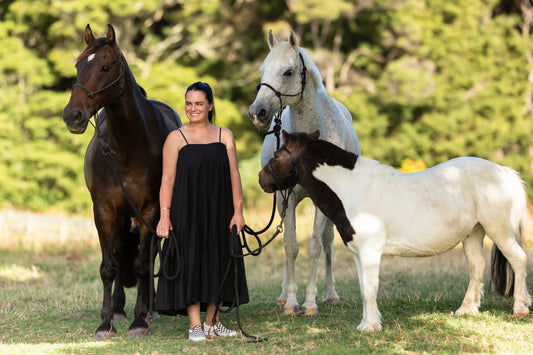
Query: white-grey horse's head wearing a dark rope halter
{"x":283,"y":79}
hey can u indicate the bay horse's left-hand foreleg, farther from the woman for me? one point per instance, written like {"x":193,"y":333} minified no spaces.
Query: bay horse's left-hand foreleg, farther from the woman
{"x":107,"y":230}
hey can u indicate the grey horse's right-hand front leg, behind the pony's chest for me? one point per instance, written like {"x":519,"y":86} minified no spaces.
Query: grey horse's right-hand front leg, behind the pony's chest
{"x":314,"y":250}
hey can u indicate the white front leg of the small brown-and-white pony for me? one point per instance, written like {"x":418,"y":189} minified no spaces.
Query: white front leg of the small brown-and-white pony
{"x":368,"y":271}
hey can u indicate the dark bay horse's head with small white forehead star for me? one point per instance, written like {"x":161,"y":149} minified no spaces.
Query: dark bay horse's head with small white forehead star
{"x":99,"y":82}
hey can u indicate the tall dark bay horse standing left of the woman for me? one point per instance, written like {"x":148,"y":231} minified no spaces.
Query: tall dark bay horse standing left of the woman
{"x":129,"y":136}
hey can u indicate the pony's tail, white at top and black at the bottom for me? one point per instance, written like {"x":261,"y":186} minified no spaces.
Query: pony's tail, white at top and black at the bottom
{"x":502,"y":275}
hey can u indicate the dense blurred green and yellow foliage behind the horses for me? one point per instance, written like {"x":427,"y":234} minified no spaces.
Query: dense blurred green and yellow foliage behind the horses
{"x":426,"y":80}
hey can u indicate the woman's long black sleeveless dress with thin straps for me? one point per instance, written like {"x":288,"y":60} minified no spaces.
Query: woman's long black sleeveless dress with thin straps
{"x":198,"y":247}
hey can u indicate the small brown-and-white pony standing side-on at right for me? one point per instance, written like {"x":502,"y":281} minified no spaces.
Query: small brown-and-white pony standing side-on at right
{"x":381,"y":211}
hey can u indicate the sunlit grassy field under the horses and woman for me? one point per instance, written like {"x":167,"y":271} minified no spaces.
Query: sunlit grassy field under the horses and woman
{"x":50,"y":299}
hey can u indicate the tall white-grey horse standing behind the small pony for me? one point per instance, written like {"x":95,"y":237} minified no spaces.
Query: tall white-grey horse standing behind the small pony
{"x":290,"y":78}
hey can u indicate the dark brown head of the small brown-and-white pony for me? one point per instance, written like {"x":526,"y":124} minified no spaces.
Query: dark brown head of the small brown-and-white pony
{"x":282,"y":171}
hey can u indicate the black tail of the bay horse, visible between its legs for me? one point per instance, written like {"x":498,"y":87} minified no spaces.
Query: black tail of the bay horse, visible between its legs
{"x":130,"y":242}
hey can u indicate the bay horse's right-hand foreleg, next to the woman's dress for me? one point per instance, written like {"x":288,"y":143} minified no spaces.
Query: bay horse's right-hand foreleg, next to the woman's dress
{"x":139,"y":326}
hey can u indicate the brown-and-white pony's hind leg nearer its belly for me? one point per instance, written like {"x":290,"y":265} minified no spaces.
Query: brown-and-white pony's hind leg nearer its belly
{"x":473,"y":249}
